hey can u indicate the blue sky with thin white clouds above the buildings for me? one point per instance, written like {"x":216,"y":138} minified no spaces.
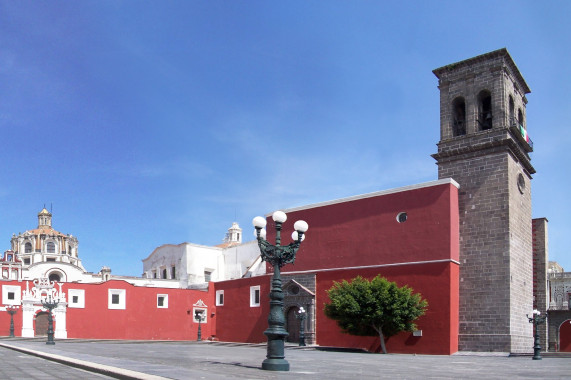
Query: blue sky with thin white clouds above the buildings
{"x":151,"y":122}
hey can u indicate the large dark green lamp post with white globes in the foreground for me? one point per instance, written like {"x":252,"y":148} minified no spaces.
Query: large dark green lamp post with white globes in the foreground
{"x":277,"y":256}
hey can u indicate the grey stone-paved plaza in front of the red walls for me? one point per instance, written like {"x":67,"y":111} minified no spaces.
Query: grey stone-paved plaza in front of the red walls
{"x":207,"y":360}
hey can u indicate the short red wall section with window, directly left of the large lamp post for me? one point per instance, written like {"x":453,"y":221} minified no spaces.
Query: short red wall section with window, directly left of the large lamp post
{"x":236,"y":321}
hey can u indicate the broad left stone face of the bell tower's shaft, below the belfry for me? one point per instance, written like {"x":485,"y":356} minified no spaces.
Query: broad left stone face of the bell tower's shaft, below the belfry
{"x":484,"y":251}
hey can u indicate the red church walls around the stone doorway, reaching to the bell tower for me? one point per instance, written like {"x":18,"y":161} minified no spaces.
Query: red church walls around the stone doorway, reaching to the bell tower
{"x":364,"y":233}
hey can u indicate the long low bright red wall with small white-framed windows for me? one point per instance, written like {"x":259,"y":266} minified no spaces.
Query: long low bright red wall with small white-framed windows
{"x":141,"y":319}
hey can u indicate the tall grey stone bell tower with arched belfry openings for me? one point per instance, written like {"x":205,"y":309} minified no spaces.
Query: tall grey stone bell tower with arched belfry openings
{"x":484,"y":146}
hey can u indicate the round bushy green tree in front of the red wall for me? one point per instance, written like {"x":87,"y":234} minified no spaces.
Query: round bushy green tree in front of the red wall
{"x":377,"y":307}
